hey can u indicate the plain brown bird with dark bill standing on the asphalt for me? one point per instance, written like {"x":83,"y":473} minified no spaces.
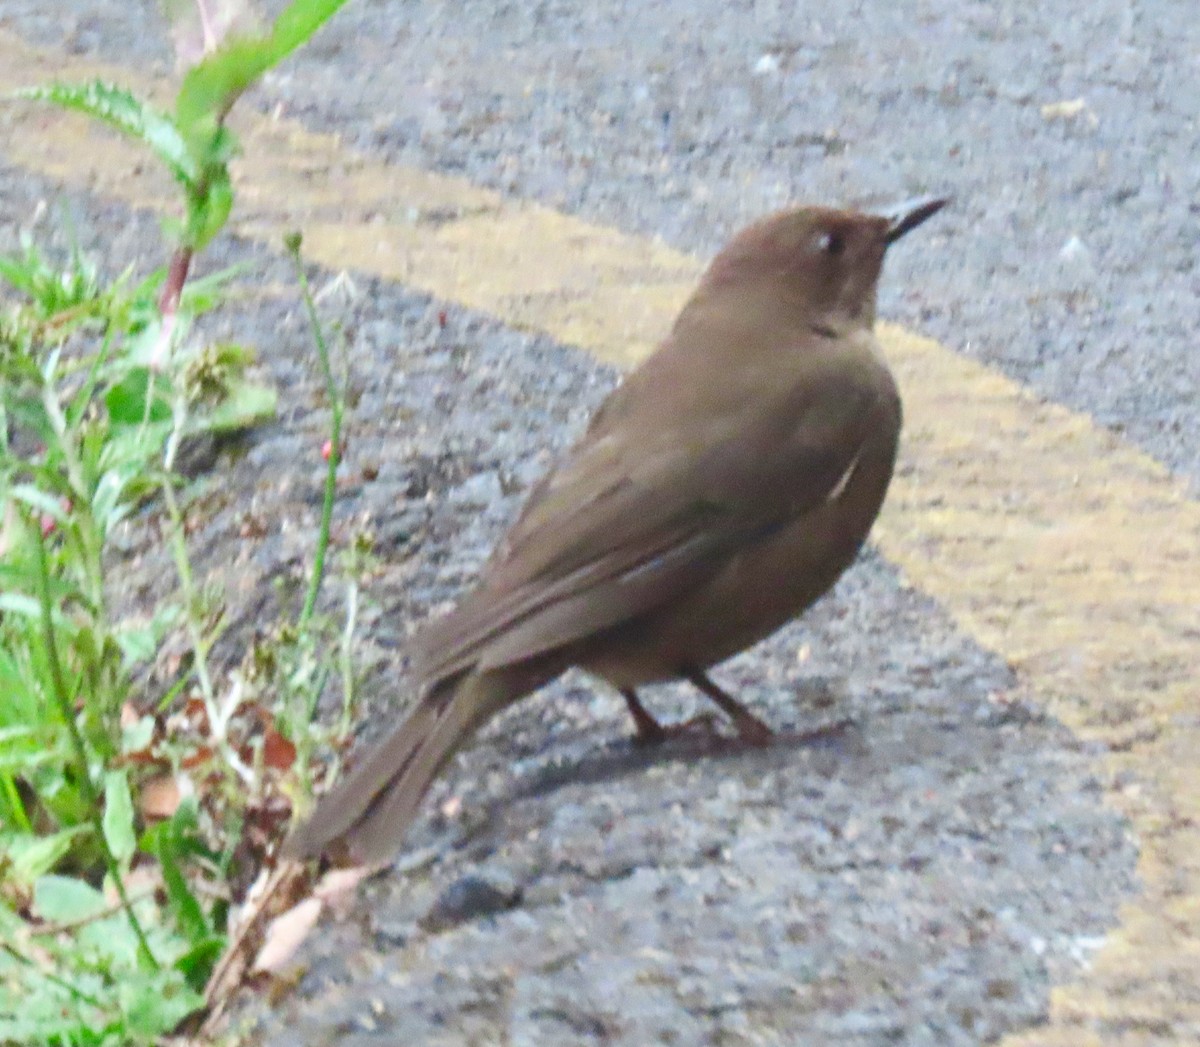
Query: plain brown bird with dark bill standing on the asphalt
{"x":716,"y":495}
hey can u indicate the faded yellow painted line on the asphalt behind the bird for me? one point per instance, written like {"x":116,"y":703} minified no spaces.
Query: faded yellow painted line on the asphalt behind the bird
{"x":1053,"y":543}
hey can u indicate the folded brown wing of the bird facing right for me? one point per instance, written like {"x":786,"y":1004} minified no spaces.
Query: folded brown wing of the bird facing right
{"x":623,"y":527}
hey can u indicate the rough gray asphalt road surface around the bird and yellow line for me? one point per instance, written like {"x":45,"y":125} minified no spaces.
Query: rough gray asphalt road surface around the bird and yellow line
{"x":920,"y":878}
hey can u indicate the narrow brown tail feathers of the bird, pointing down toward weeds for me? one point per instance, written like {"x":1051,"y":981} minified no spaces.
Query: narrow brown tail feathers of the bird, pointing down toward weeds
{"x":367,"y":815}
